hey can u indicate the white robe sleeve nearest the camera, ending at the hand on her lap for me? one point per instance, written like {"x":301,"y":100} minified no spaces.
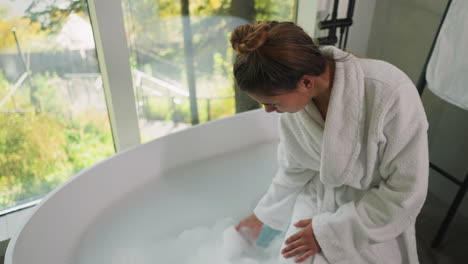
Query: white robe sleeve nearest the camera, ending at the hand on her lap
{"x":390,"y":208}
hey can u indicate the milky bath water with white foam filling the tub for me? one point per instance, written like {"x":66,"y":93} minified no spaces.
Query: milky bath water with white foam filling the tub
{"x":180,"y":217}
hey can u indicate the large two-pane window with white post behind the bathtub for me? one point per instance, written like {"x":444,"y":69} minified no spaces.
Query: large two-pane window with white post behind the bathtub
{"x":54,"y":117}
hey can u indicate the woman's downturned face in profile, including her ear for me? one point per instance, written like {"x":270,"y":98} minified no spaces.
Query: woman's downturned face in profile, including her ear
{"x":291,"y":101}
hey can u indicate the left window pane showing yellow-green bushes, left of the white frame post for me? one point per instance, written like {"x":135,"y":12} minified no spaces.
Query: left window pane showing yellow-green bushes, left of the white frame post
{"x":53,"y":116}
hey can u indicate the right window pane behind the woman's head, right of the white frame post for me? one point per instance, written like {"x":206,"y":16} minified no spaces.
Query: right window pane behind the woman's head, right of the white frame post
{"x":182,"y":63}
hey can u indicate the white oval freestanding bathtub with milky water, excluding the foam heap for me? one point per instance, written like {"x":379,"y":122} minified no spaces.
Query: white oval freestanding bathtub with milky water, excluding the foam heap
{"x":189,"y":178}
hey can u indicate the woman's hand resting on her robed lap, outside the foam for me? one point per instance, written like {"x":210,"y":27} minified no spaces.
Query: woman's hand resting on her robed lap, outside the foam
{"x":302,"y":243}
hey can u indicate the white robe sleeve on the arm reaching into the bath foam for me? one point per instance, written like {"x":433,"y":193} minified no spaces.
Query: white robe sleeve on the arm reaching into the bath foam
{"x":276,"y":206}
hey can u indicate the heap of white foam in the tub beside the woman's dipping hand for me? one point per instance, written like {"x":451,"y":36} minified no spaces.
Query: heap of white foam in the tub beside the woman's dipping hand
{"x":218,"y":244}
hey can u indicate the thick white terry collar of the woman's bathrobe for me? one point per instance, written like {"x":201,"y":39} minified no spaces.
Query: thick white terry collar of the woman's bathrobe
{"x":344,"y":124}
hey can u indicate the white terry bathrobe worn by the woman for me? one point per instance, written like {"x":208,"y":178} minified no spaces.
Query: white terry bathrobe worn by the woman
{"x":361,"y":175}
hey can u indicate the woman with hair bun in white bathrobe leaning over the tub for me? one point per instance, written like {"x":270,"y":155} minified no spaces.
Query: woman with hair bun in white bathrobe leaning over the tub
{"x":353,"y":158}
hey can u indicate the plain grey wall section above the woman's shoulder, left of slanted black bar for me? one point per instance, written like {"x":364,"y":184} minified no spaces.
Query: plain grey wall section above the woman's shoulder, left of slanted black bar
{"x":402,"y":32}
